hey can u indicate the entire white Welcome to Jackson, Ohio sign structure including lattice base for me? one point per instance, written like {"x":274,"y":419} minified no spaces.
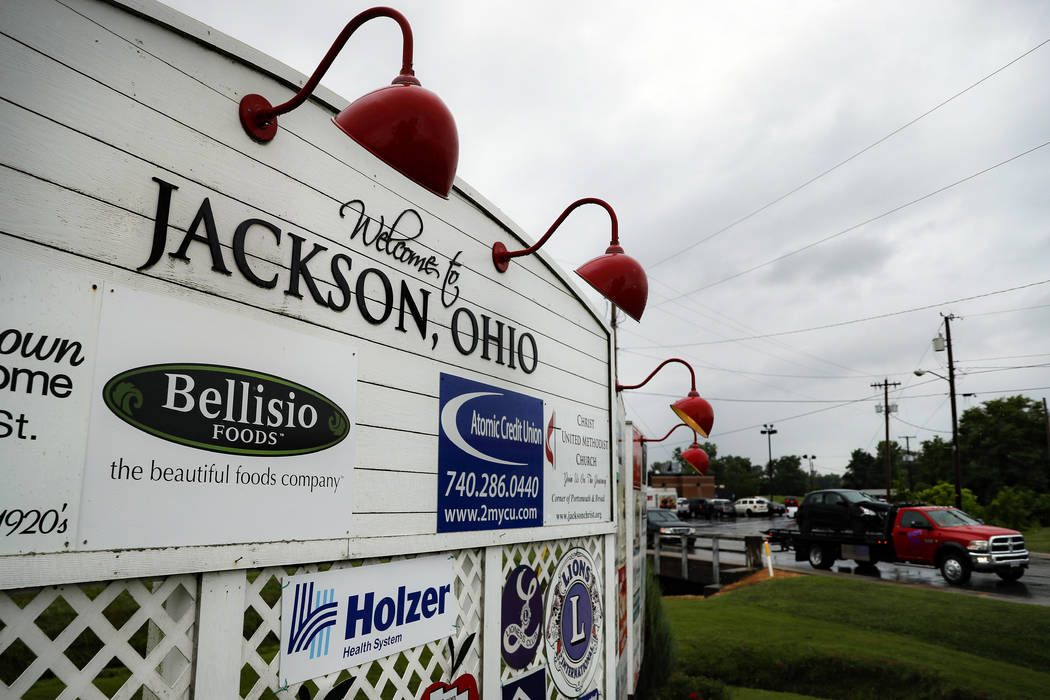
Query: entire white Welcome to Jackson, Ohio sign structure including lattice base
{"x":232,"y":365}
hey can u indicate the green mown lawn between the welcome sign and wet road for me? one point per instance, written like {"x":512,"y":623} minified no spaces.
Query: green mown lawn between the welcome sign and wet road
{"x":830,"y":638}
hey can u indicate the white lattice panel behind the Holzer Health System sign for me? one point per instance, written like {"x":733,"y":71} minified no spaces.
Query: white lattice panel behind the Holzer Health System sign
{"x":401,"y":676}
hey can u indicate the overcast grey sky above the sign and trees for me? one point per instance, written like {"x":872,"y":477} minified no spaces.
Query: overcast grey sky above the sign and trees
{"x":776,"y":167}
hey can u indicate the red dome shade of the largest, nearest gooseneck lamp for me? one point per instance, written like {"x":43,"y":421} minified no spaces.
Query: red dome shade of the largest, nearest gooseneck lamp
{"x":409,"y":129}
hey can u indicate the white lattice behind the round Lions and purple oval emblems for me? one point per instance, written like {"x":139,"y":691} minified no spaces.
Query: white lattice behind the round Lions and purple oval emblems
{"x":543,"y":557}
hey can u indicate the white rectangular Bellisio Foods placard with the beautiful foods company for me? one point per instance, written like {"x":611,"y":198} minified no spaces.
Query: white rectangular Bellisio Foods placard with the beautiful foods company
{"x":208,"y":428}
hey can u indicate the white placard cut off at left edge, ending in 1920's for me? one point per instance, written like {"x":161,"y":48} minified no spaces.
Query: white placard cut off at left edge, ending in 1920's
{"x":48,"y":349}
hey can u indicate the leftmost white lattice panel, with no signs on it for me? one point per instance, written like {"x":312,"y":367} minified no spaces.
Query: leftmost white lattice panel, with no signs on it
{"x":122,"y":640}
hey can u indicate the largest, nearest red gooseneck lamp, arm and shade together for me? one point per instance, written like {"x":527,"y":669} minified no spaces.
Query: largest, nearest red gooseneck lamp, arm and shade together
{"x":405,"y":125}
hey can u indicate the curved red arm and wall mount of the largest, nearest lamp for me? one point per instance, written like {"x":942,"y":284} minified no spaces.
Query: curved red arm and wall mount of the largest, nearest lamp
{"x":260,"y":118}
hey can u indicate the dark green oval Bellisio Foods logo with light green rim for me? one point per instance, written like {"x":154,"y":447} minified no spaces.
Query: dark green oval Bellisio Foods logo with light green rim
{"x":226,"y":410}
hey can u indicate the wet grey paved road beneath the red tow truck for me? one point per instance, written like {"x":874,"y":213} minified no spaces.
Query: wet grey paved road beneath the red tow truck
{"x":1034,"y":587}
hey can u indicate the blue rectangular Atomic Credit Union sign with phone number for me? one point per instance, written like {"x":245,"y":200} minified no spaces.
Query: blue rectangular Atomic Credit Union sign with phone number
{"x":490,"y":458}
